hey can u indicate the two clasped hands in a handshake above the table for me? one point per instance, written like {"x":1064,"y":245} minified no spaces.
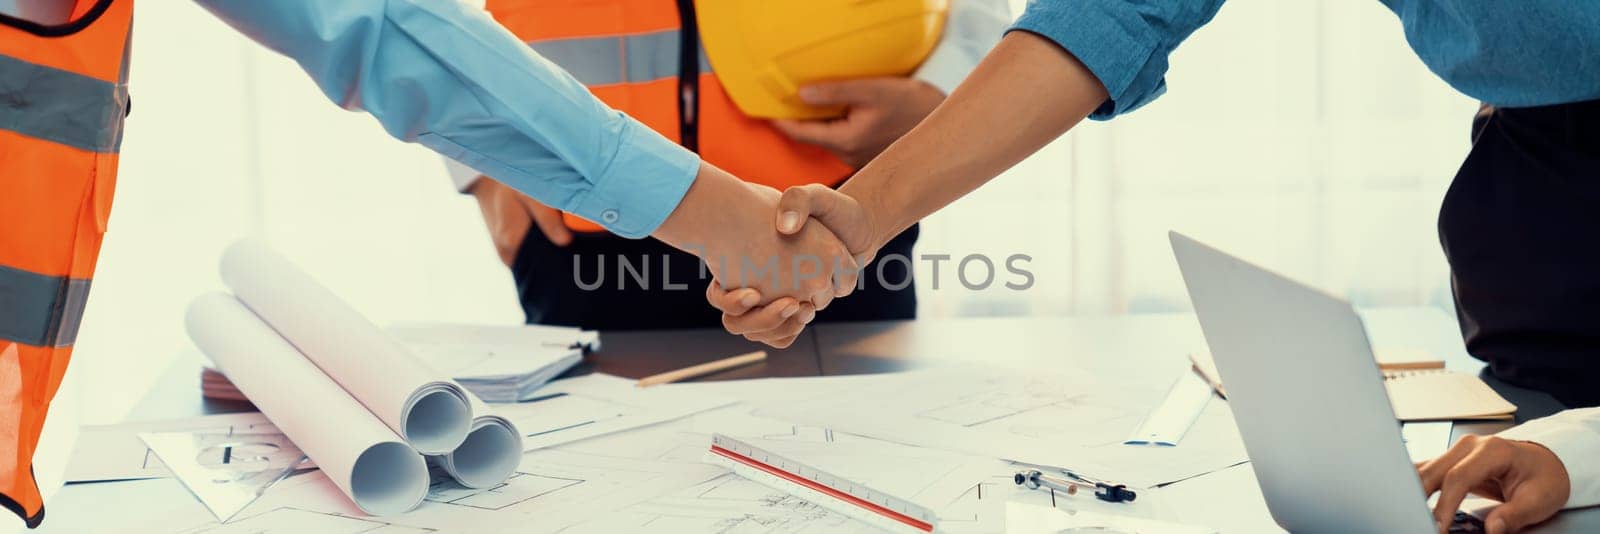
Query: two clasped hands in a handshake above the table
{"x":777,"y":258}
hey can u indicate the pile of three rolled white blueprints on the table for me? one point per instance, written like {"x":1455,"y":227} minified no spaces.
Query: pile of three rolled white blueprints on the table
{"x":350,"y":396}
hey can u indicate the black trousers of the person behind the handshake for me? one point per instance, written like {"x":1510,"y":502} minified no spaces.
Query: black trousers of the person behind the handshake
{"x":586,"y":284}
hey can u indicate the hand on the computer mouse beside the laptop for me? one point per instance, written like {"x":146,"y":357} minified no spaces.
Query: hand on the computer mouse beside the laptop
{"x":1529,"y":480}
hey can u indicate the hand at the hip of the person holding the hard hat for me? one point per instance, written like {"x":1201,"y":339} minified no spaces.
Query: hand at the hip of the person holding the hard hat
{"x":510,"y":215}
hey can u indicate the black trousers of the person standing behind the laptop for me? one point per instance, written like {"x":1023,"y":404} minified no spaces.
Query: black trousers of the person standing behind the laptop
{"x":1521,"y":228}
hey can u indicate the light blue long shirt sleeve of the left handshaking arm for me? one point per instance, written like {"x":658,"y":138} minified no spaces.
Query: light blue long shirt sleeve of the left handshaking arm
{"x":449,"y":78}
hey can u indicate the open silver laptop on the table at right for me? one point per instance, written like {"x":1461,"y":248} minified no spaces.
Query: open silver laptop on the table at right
{"x":1310,"y":400}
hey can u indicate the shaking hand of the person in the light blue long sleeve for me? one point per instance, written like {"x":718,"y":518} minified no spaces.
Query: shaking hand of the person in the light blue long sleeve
{"x":729,"y":225}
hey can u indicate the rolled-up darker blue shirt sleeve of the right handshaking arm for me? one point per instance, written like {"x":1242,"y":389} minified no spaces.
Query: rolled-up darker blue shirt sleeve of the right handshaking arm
{"x":1122,"y":42}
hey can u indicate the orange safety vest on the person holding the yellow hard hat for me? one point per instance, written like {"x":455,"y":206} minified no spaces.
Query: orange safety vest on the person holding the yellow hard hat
{"x":644,"y":58}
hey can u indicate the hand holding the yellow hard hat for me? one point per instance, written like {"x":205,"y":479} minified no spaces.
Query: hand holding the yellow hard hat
{"x":878,"y":111}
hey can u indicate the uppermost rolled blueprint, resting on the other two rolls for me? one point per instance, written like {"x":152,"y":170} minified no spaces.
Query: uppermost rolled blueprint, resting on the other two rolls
{"x":422,"y":405}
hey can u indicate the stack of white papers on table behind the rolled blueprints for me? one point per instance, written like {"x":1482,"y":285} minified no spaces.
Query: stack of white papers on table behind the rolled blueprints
{"x":497,"y":364}
